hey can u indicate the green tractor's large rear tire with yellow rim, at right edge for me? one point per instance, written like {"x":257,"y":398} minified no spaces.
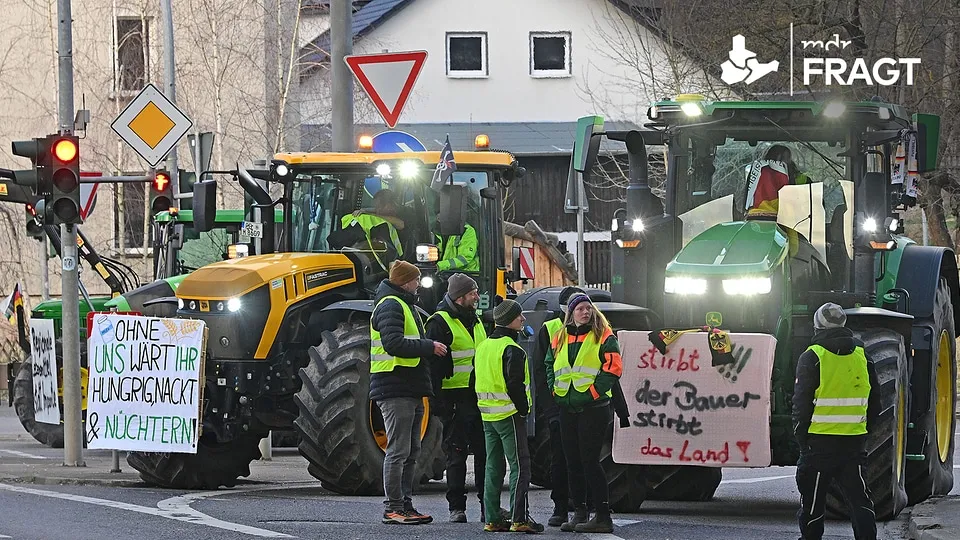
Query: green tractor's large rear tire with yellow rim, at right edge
{"x":934,"y":475}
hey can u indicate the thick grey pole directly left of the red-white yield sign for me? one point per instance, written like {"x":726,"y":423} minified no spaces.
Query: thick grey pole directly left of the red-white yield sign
{"x":341,"y":44}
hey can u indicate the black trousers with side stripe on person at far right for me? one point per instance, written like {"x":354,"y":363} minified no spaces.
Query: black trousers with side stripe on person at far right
{"x":815,"y":472}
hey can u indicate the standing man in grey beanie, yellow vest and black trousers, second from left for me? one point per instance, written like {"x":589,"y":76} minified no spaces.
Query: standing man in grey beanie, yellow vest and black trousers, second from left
{"x":456,"y":325}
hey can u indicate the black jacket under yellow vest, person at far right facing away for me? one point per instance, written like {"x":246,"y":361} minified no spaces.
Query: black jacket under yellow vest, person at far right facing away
{"x":839,"y":341}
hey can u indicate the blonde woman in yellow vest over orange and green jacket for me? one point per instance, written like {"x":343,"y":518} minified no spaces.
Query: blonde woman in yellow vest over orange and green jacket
{"x":582,"y":367}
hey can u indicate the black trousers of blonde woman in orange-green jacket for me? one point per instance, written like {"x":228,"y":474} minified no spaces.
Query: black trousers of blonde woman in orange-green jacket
{"x":583,"y":436}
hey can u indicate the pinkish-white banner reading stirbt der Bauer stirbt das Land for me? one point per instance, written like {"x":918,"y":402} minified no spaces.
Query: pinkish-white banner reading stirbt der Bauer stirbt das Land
{"x":684,"y":411}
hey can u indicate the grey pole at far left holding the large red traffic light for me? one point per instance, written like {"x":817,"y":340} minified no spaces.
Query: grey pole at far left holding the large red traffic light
{"x":72,"y":426}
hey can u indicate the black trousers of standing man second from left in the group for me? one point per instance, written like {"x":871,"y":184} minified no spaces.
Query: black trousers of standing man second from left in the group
{"x":462,"y":434}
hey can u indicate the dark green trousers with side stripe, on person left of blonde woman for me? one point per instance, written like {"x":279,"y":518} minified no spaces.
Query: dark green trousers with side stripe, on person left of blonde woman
{"x":506,"y":442}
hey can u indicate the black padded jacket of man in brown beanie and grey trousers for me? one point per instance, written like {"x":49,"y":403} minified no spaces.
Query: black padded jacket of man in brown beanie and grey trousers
{"x":388,"y":320}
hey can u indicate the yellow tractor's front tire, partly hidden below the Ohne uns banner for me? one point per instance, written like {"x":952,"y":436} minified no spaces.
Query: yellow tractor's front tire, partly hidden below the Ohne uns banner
{"x":214,"y":464}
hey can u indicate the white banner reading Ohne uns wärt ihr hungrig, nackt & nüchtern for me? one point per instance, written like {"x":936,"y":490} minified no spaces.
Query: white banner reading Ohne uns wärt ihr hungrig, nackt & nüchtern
{"x":144,"y":389}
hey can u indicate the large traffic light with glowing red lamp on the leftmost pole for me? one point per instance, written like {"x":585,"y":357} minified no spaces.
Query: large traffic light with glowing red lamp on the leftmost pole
{"x":64,"y":178}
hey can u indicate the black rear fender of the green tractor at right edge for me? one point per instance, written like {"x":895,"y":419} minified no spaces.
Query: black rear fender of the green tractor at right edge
{"x":921,"y":268}
